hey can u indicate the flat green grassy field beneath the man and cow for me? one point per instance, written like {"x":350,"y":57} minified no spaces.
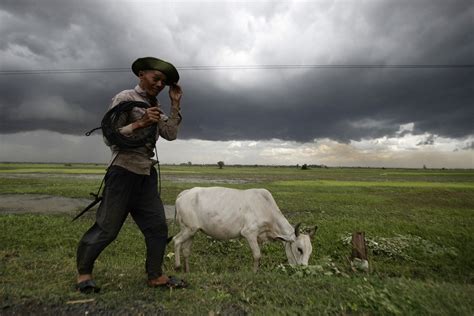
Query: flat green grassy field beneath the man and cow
{"x":418,"y":225}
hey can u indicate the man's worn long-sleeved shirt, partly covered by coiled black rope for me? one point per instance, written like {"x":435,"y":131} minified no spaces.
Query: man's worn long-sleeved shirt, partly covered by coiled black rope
{"x":139,"y":160}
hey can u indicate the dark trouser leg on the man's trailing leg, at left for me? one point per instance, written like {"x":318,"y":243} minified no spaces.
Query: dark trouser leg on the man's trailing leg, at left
{"x":112,"y":212}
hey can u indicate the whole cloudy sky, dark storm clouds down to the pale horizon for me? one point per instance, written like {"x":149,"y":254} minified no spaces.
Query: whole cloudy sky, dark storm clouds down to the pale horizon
{"x":252,"y":93}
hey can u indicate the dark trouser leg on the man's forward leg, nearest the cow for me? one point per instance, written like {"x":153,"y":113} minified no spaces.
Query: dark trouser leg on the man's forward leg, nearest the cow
{"x":149,"y":214}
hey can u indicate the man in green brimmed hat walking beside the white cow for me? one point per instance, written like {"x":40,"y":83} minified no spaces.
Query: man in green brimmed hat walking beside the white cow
{"x":131,"y":179}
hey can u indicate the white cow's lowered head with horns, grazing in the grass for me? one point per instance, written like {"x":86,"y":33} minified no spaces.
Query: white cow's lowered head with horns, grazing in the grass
{"x":299,"y":251}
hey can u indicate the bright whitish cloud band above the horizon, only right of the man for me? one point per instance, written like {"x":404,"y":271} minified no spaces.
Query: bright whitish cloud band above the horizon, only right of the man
{"x":382,"y":152}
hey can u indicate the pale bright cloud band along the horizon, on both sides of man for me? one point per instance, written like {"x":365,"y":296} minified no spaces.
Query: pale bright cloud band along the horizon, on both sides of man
{"x":45,"y":146}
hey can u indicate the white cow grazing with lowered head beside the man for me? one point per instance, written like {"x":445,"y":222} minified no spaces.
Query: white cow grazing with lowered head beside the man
{"x":225,"y":213}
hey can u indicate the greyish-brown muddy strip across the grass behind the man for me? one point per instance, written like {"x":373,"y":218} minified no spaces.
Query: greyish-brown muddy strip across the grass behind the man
{"x":49,"y":204}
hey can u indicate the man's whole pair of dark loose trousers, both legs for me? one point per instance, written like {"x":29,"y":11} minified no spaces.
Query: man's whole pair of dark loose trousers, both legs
{"x":126,"y":192}
